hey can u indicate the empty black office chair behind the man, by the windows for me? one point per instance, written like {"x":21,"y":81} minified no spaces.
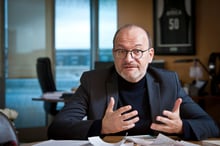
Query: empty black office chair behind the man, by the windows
{"x":47,"y":83}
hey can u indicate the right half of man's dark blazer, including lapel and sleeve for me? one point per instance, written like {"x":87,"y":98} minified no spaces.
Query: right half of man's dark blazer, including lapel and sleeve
{"x":164,"y":90}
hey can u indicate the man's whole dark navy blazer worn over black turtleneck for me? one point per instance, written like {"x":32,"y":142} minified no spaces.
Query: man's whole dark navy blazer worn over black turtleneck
{"x":97,"y":86}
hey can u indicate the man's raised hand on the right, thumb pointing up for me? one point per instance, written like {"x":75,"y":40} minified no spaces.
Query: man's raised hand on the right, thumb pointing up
{"x":171,"y":122}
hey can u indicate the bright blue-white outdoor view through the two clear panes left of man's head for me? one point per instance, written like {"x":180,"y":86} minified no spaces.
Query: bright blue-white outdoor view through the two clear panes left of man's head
{"x":72,"y":41}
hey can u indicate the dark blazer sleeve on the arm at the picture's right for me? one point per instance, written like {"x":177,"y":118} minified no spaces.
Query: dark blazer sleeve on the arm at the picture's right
{"x":198,"y":124}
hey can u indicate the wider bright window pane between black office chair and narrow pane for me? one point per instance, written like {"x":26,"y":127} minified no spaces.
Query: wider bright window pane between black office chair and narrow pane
{"x":72,"y":41}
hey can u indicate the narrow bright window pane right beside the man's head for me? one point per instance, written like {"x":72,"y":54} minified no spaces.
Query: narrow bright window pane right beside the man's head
{"x":107,"y":28}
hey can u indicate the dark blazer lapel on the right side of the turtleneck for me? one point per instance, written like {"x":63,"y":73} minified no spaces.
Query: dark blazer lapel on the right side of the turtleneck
{"x":154,"y":97}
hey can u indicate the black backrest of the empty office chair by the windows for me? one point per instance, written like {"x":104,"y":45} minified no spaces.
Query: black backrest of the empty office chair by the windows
{"x":45,"y":75}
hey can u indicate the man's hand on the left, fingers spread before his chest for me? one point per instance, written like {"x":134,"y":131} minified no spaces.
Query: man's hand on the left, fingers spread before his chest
{"x":118,"y":120}
